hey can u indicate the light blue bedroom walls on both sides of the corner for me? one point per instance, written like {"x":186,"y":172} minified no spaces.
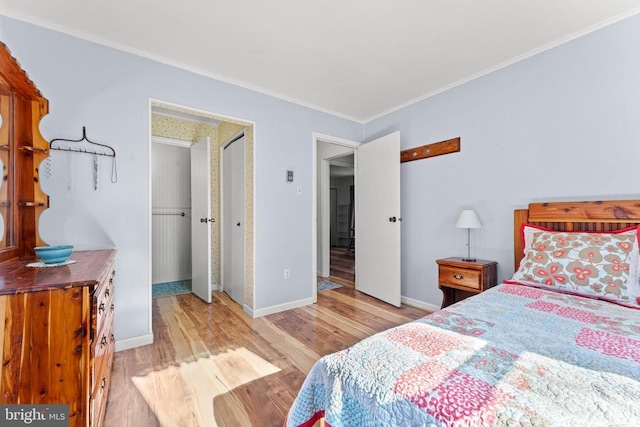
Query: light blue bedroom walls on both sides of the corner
{"x":562,"y":125}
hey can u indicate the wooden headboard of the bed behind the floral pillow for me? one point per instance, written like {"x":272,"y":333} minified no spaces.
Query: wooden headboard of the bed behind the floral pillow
{"x":605,"y":216}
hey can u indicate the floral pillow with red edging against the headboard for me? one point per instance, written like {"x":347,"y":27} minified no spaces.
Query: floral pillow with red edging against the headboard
{"x":597,"y":265}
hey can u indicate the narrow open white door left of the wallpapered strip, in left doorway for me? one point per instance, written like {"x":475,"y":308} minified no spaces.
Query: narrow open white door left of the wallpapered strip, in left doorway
{"x":201,"y":219}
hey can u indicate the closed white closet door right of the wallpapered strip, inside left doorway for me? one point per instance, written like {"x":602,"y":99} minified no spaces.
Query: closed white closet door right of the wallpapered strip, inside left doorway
{"x":233,"y":220}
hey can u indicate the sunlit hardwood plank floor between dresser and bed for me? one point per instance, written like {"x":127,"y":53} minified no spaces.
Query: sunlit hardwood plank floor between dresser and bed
{"x":214,"y":365}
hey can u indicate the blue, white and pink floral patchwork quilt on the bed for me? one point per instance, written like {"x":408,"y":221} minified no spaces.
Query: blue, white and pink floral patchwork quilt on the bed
{"x":513,"y":355}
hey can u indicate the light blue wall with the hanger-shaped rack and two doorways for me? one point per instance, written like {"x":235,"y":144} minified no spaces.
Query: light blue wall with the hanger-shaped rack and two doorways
{"x":108,"y":91}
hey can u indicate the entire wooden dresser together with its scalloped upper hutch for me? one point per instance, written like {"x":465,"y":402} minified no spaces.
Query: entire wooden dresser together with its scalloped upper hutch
{"x":56,"y":324}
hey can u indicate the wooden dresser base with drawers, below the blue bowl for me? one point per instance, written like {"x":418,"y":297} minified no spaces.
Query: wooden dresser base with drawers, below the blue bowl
{"x":56,"y":330}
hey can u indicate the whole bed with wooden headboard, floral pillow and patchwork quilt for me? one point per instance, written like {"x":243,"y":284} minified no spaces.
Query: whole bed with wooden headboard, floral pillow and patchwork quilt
{"x":558,"y":344}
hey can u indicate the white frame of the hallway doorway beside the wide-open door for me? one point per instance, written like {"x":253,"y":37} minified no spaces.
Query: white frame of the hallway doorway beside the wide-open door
{"x":324,"y":201}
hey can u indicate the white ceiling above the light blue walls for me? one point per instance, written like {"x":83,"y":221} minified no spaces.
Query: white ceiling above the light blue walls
{"x":358,"y":59}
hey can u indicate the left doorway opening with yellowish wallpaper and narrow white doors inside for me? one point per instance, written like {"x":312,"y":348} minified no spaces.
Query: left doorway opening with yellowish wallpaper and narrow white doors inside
{"x":175,"y":224}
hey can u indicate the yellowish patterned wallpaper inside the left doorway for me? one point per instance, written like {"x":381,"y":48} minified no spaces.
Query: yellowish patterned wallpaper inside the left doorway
{"x":186,"y":130}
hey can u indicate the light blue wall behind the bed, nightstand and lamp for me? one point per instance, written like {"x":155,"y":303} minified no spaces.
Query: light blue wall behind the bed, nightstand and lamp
{"x":564,"y":124}
